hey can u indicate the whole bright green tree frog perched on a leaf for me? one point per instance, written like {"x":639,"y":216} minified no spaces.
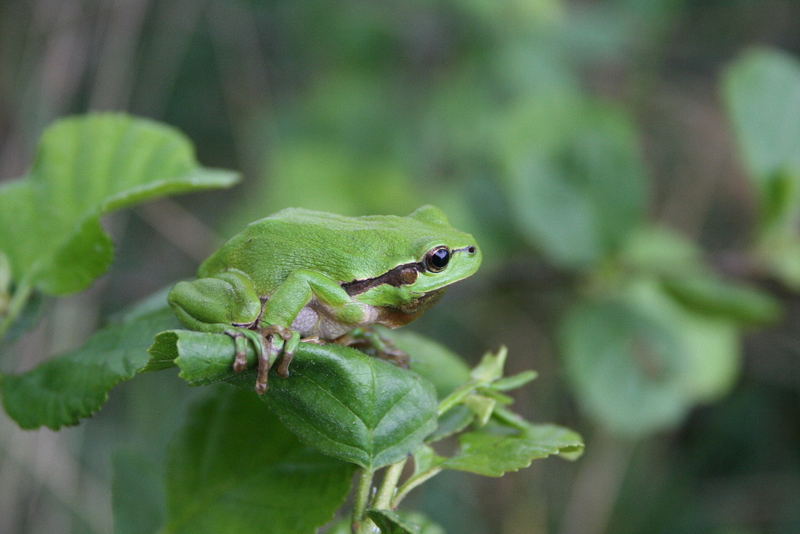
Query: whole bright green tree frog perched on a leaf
{"x":307,"y":274}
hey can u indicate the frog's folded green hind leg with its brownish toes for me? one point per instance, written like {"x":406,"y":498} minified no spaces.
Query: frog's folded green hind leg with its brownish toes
{"x":225,"y":303}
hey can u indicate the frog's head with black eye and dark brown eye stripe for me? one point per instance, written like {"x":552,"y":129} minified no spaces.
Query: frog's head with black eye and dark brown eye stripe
{"x":435,"y":256}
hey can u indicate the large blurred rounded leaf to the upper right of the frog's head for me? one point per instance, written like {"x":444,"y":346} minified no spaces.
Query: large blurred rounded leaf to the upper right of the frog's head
{"x":575,"y":181}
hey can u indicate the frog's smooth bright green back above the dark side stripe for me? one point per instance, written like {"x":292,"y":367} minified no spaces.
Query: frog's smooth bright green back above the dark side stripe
{"x":344,"y":248}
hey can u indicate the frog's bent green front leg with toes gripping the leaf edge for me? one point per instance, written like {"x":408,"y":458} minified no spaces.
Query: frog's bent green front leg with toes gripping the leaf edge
{"x":293,"y":295}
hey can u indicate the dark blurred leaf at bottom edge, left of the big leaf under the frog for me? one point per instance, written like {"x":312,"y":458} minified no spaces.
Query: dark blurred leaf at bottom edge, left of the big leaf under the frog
{"x":138,"y":494}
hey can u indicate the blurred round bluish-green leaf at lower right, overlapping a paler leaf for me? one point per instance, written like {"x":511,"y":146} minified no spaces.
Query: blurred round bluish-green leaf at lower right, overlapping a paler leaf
{"x":624,"y":366}
